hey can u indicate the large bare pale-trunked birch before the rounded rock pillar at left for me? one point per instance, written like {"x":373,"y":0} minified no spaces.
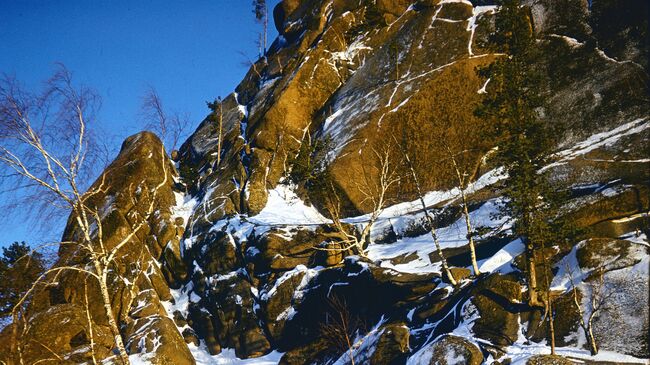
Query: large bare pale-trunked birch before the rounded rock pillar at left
{"x":44,"y":146}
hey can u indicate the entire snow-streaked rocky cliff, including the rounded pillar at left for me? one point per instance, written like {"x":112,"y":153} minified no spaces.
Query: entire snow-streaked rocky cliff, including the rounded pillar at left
{"x":227,"y":266}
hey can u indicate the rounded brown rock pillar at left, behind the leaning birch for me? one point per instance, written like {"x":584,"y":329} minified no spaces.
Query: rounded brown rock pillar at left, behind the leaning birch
{"x":138,"y":285}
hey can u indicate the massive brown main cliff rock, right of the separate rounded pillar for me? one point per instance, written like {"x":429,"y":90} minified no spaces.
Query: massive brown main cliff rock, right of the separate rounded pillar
{"x":357,"y":74}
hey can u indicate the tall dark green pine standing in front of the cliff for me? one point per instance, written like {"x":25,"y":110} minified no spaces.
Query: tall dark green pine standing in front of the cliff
{"x":524,"y":140}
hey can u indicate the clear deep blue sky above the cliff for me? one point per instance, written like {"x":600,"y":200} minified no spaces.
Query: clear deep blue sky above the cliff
{"x":189,"y":51}
